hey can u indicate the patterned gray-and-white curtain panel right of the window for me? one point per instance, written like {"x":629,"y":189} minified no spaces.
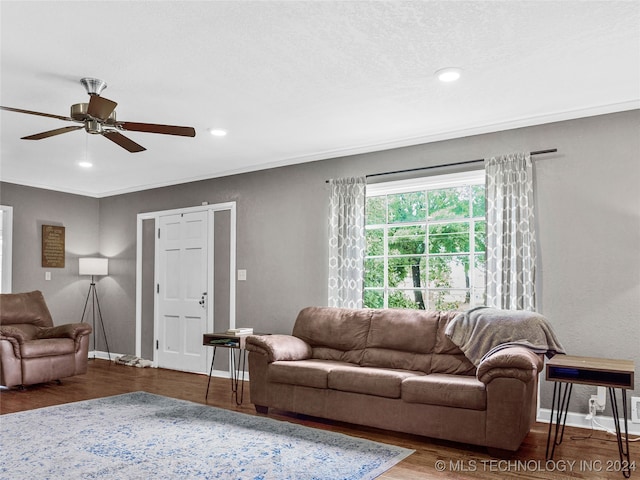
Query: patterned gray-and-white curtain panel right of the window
{"x":511,"y":237}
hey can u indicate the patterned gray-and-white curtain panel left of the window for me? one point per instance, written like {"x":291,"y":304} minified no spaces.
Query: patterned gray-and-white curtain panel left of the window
{"x":346,"y":242}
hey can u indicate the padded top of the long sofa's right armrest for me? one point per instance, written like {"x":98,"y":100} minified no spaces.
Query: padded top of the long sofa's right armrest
{"x":512,"y":362}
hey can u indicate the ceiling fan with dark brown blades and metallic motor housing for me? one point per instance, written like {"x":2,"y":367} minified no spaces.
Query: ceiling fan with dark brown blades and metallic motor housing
{"x":99,"y":117}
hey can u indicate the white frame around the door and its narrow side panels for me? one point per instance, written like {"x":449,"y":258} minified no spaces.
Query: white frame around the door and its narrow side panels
{"x":155,"y":216}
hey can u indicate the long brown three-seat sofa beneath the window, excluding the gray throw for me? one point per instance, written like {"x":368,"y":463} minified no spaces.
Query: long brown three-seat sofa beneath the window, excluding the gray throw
{"x":395,"y":370}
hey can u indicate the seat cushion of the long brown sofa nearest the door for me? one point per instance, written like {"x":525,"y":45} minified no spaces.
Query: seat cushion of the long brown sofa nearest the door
{"x":309,"y":373}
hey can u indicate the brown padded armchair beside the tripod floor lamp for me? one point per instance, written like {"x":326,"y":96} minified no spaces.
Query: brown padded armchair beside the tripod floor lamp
{"x":32,"y":349}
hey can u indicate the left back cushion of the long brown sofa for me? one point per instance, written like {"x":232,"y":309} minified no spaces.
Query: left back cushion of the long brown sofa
{"x":334,"y":333}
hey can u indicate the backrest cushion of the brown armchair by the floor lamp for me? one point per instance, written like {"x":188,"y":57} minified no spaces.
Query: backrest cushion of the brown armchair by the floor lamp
{"x":28,"y":307}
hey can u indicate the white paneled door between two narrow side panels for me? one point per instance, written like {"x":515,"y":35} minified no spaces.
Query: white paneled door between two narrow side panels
{"x":182,"y":290}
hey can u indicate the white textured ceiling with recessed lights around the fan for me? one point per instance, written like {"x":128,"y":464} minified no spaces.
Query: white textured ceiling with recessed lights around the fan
{"x":296,"y":81}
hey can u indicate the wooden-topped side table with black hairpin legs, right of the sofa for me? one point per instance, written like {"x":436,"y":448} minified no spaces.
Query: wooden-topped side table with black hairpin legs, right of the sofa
{"x":565,"y":370}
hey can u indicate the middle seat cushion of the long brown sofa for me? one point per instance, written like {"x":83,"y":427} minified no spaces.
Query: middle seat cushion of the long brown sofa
{"x":381,"y":382}
